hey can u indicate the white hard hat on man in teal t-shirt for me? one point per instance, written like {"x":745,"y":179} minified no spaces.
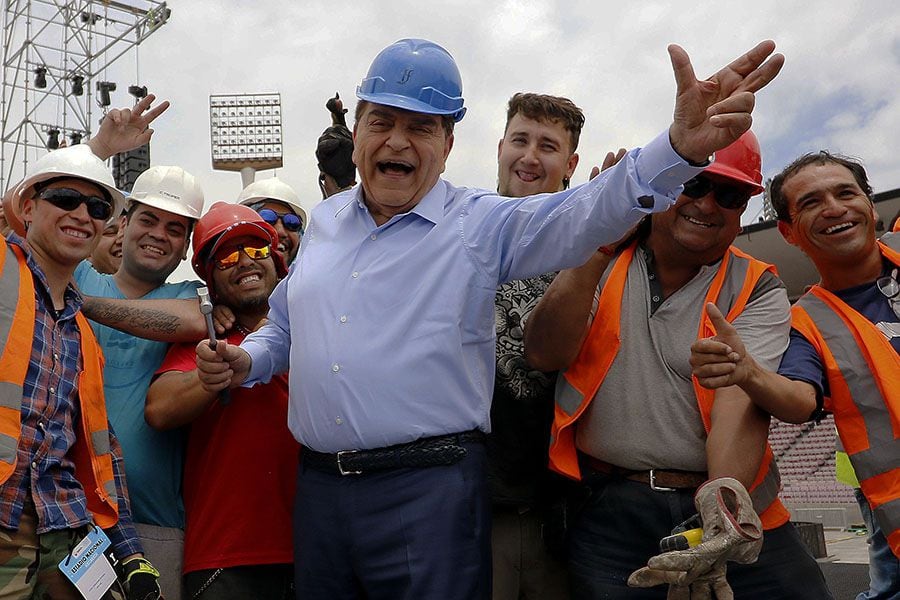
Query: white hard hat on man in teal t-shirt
{"x":171,"y":189}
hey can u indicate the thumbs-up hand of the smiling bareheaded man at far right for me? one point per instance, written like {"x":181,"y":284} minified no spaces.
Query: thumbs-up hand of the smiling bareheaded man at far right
{"x":721,"y":360}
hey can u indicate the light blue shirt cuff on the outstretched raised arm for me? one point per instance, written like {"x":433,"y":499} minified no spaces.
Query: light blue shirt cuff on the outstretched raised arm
{"x":660,"y":169}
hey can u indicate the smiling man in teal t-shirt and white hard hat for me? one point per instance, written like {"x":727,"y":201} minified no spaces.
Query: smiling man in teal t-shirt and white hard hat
{"x":163,"y":206}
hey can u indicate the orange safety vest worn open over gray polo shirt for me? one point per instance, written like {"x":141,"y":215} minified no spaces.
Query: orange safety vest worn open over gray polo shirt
{"x":730,"y":289}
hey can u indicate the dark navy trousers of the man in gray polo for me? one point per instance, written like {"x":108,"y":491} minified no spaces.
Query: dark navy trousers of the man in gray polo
{"x":622,"y":522}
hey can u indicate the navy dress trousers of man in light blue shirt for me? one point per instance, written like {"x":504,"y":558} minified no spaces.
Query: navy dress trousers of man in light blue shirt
{"x":413,"y":534}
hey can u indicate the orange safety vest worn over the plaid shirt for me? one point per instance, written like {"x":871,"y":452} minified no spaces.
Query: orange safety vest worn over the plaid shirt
{"x":91,"y":451}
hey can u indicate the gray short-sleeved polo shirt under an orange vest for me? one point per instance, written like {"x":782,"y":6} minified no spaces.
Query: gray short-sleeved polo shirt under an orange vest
{"x":645,"y":414}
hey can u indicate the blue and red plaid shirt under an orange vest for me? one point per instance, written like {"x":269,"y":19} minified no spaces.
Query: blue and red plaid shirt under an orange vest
{"x":44,"y":473}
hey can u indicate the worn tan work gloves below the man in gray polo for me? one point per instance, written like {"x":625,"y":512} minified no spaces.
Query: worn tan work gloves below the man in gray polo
{"x":731,"y":532}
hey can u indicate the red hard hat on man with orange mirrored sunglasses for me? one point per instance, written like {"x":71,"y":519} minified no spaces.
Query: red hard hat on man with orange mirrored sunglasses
{"x":225,"y":221}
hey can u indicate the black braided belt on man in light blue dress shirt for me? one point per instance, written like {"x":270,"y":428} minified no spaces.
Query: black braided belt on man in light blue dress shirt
{"x":424,"y":452}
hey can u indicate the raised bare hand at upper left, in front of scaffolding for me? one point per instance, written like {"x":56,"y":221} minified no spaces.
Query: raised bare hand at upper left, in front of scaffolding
{"x":125,"y":129}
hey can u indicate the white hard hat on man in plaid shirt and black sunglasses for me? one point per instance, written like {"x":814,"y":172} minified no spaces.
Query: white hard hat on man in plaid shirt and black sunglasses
{"x":75,"y":161}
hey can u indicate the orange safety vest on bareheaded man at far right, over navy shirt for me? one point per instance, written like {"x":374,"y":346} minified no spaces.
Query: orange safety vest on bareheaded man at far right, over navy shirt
{"x":863,"y":372}
